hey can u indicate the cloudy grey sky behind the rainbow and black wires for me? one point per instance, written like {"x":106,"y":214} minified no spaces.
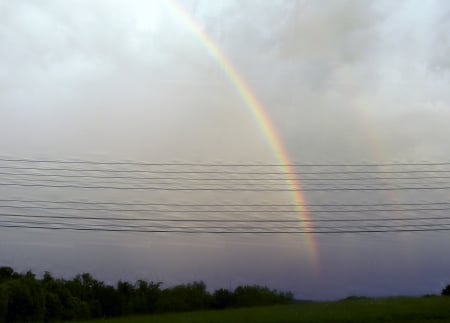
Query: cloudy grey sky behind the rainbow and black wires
{"x":341,"y":82}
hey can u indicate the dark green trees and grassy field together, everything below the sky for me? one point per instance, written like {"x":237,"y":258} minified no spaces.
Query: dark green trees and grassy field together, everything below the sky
{"x":25,"y":298}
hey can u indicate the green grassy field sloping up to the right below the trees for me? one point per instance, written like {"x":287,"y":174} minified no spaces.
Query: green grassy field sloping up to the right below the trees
{"x":425,"y":309}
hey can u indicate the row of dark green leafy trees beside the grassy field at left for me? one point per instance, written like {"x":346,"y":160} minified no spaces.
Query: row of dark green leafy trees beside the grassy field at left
{"x":24,"y":298}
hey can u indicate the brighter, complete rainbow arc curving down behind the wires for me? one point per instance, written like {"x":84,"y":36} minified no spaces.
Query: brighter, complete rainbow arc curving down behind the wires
{"x":261,"y":117}
